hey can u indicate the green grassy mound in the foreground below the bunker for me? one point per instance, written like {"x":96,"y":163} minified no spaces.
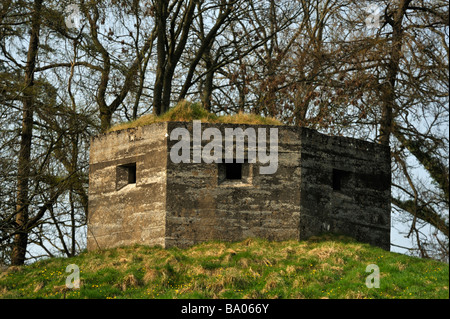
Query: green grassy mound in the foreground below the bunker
{"x":327,"y":267}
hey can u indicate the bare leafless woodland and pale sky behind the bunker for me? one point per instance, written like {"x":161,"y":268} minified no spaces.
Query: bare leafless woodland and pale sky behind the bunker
{"x":376,"y":70}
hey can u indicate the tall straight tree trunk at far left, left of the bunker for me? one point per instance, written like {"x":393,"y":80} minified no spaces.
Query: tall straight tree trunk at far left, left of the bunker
{"x":23,"y":173}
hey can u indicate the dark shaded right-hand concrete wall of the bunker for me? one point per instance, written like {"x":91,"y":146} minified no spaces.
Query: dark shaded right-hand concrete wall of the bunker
{"x":345,"y":188}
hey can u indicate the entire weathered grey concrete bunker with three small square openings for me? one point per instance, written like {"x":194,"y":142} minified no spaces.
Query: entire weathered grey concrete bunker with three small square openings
{"x":137,"y":194}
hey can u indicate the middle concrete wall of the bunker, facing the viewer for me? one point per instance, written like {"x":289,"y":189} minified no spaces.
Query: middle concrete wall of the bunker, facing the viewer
{"x":203,"y":205}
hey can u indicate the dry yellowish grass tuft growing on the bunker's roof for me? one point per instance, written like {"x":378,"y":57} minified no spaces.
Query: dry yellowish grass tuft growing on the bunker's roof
{"x":185,"y":111}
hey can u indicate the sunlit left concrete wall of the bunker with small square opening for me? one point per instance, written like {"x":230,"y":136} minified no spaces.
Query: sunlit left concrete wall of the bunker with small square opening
{"x":122,"y":212}
